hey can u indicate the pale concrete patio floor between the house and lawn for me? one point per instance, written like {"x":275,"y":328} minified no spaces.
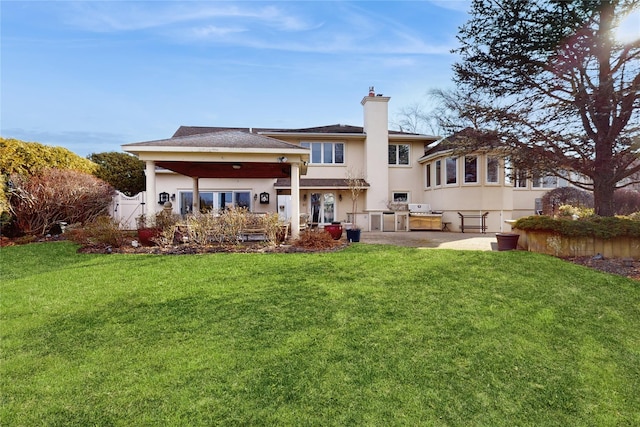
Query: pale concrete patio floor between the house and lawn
{"x":433,"y":239}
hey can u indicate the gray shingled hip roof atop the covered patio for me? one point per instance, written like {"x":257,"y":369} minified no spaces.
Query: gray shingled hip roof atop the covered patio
{"x":220,"y":139}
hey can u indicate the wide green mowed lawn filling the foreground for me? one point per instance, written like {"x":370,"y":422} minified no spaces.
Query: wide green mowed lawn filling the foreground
{"x":371,"y":335}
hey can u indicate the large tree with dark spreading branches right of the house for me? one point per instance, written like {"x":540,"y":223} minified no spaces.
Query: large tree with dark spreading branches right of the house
{"x":555,"y":86}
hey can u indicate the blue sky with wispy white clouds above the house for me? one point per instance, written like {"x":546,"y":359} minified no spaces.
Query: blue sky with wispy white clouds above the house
{"x":92,"y":75}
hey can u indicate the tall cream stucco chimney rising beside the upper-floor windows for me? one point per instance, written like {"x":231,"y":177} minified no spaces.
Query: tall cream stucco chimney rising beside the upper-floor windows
{"x":376,"y":149}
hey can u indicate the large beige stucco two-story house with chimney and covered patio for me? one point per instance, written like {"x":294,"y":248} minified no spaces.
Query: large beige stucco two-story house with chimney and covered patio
{"x":304,"y":171}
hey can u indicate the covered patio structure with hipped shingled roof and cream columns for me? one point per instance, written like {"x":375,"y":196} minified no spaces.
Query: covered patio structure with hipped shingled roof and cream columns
{"x":226,"y":154}
